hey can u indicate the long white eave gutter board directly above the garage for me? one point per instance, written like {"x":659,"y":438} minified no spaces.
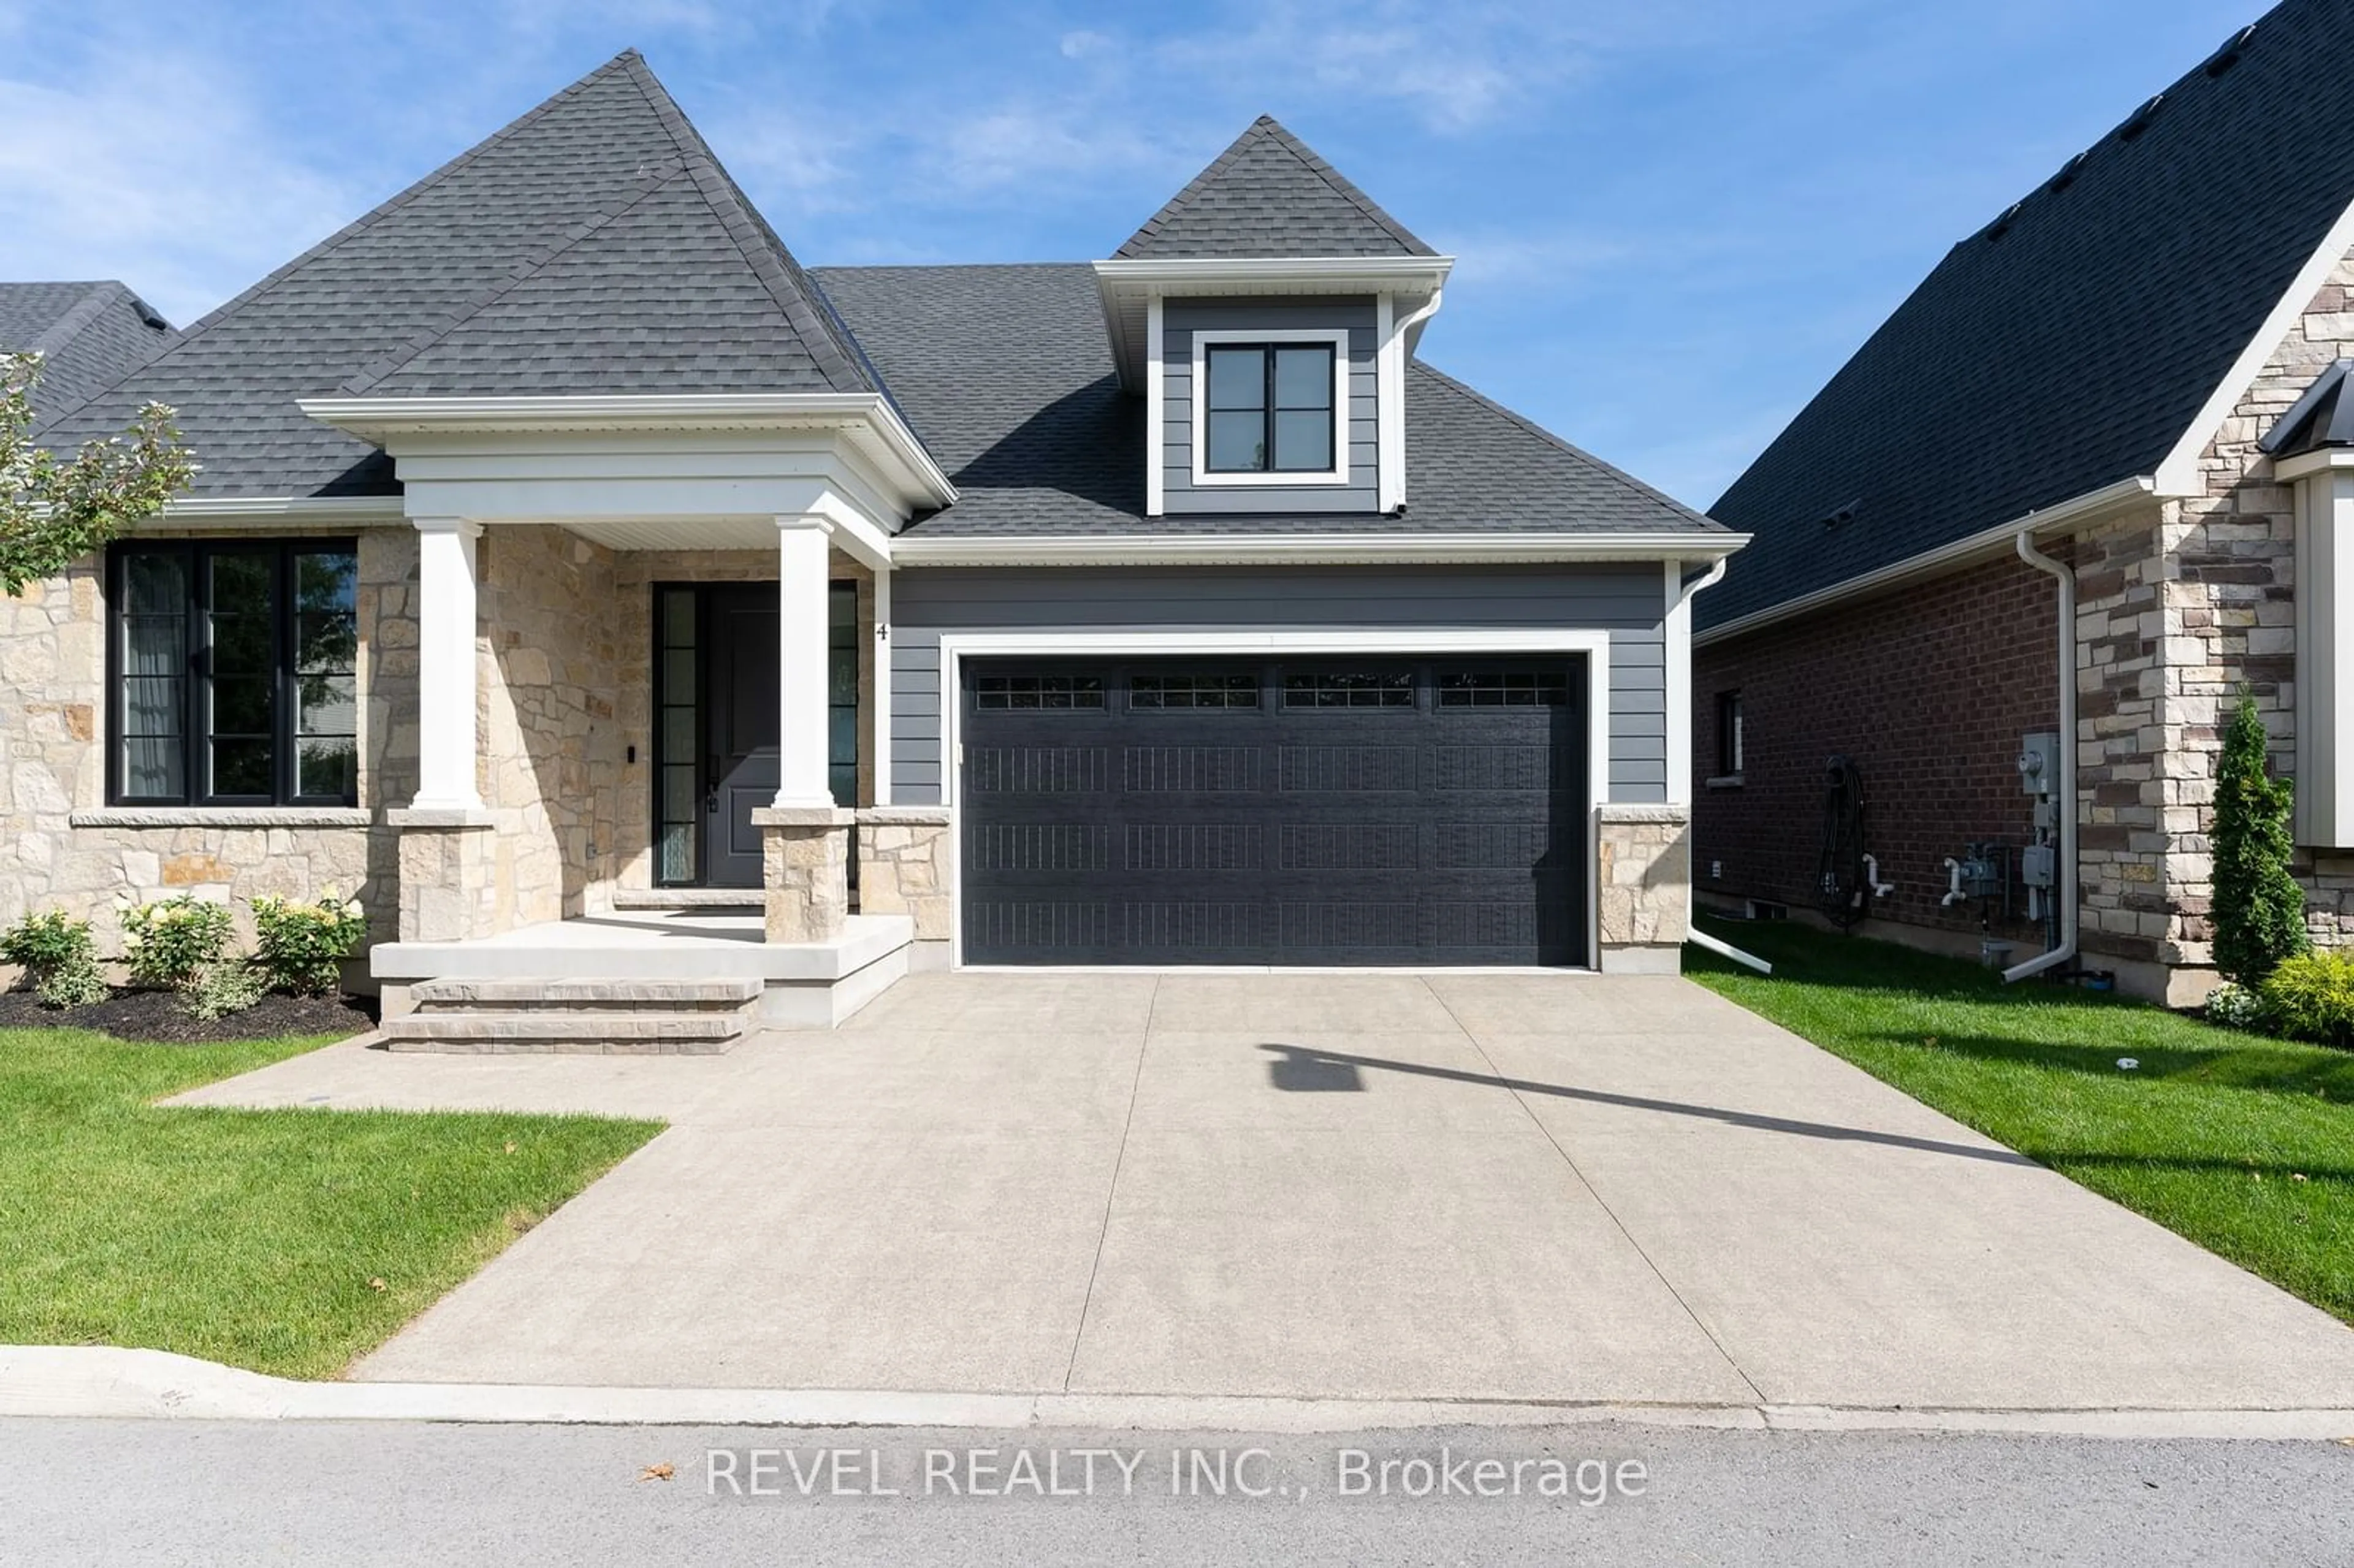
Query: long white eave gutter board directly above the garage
{"x":1312,"y":550}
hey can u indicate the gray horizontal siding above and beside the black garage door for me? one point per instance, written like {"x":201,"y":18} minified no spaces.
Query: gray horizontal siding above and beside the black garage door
{"x":1625,"y":602}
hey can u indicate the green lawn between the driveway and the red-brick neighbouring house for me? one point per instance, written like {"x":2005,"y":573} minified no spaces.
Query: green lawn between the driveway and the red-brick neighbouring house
{"x":2235,"y":1141}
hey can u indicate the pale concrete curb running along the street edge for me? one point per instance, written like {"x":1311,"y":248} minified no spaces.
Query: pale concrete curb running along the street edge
{"x":159,"y":1386}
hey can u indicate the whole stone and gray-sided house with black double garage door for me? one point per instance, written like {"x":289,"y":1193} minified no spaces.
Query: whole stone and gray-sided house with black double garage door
{"x":632,"y":616}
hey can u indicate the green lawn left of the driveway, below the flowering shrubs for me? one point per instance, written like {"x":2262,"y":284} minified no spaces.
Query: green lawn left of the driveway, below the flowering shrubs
{"x":284,"y":1242}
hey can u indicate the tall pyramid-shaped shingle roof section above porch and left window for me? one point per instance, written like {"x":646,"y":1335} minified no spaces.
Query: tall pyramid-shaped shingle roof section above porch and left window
{"x":592,"y":246}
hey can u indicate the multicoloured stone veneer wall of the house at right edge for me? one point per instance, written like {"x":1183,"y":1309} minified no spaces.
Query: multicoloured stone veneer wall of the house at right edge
{"x":2174,"y":618}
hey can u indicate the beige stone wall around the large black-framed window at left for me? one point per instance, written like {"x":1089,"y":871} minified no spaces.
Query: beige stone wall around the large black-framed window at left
{"x":60,"y":846}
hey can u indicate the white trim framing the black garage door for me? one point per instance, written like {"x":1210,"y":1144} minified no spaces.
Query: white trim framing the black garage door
{"x":957,"y":646}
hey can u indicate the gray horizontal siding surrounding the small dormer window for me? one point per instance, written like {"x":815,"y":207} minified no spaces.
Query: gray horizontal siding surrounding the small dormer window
{"x":1183,"y":319}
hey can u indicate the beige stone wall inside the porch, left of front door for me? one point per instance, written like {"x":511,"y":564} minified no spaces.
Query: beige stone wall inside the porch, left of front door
{"x":552,"y":738}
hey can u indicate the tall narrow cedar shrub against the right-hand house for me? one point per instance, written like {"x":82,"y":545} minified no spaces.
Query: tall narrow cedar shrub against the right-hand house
{"x":2259,"y":905}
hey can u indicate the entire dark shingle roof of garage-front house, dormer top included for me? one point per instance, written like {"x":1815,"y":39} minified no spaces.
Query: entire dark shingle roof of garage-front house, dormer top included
{"x":597,"y":246}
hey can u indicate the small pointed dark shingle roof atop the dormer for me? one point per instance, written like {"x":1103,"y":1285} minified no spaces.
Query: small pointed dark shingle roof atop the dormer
{"x":1270,"y":197}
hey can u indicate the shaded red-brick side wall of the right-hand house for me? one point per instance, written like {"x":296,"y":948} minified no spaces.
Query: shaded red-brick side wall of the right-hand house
{"x":1929,"y":689}
